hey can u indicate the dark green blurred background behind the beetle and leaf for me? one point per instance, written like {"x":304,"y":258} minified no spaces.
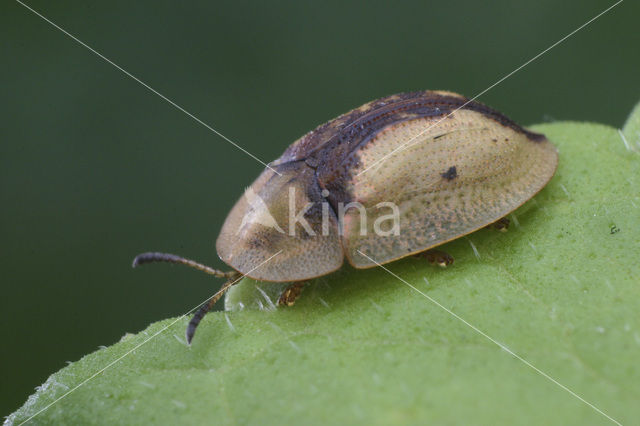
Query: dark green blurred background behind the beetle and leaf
{"x":95,"y":168}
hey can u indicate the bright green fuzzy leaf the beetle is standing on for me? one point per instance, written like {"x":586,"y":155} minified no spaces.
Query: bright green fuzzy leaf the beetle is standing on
{"x":559,"y":289}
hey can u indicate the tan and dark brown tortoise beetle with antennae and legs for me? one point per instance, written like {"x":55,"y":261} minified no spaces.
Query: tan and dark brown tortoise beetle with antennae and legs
{"x":444,"y":165}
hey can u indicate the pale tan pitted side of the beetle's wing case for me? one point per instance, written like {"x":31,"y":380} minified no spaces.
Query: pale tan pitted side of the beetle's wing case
{"x":497,"y":170}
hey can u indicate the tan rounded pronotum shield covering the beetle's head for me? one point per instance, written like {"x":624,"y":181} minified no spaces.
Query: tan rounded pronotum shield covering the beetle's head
{"x":282,"y":215}
